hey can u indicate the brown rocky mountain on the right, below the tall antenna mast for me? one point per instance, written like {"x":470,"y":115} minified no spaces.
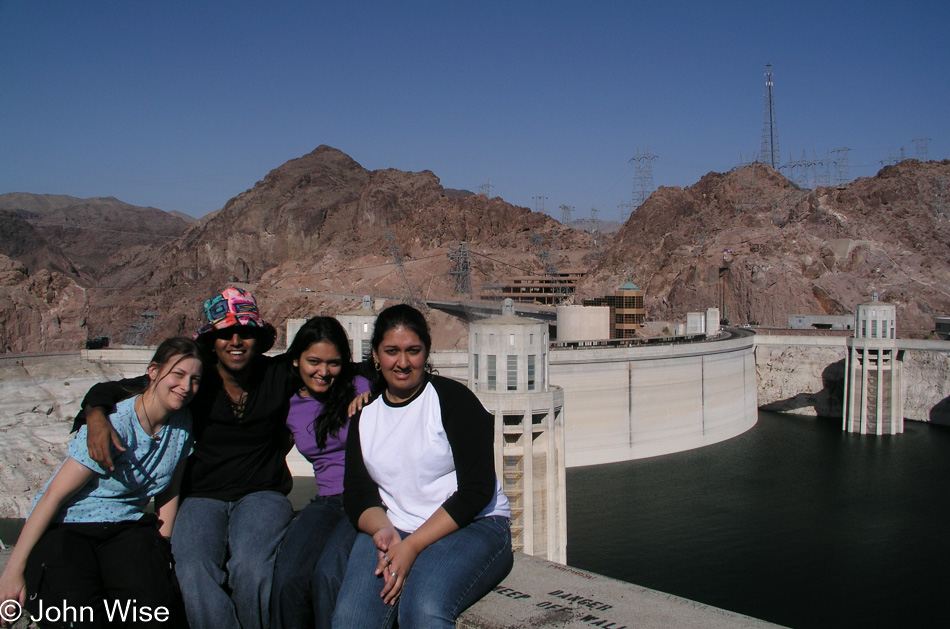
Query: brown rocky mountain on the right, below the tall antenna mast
{"x":754,"y":244}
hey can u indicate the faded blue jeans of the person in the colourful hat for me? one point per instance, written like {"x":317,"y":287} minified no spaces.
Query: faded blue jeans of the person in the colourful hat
{"x":224,"y":557}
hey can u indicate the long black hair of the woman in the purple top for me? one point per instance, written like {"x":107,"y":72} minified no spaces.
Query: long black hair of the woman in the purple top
{"x":341,"y":392}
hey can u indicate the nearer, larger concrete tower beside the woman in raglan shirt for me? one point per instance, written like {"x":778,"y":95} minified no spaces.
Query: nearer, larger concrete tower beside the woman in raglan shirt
{"x":508,"y":371}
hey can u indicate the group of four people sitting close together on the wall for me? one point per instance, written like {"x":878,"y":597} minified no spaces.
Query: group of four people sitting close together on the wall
{"x":427,"y":532}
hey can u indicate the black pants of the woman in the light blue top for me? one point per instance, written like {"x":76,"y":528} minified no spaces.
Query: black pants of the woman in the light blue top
{"x":87,"y":575}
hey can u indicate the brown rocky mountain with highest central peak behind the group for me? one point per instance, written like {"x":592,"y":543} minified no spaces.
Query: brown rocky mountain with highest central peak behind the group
{"x":325,"y":223}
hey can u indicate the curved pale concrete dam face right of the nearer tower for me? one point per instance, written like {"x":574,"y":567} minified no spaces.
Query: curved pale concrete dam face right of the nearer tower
{"x":634,"y":402}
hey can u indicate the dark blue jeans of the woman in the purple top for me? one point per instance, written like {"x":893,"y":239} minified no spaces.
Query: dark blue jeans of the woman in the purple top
{"x":303,"y":594}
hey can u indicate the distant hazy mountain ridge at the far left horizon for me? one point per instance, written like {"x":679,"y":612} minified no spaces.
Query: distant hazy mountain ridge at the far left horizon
{"x":89,"y":231}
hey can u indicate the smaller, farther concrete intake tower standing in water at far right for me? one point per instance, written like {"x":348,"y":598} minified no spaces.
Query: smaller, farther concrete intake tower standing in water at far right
{"x":873,"y":388}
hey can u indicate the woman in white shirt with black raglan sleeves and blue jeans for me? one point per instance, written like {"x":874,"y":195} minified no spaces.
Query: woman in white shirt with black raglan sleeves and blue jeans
{"x":420,"y":486}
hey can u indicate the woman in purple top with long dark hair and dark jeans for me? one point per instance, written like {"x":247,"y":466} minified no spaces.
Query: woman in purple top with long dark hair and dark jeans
{"x":321,"y":363}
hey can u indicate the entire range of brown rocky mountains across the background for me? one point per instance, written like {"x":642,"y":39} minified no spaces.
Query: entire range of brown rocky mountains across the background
{"x":748,"y":240}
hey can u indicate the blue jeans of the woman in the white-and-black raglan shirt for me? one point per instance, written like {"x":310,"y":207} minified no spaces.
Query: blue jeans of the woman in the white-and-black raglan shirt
{"x":447,"y":577}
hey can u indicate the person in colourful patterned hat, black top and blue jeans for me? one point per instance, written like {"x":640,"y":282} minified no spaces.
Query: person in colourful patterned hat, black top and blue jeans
{"x":236,"y":509}
